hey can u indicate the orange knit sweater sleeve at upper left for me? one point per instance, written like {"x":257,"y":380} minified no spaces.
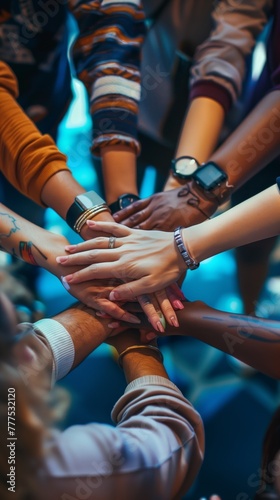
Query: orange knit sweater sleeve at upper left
{"x":27,"y":158}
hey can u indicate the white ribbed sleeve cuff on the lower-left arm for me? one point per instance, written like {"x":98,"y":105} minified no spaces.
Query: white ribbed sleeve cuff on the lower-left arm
{"x":61,"y":345}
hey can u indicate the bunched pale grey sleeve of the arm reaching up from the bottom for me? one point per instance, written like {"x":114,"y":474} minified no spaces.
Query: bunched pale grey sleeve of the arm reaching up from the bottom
{"x":155,"y":451}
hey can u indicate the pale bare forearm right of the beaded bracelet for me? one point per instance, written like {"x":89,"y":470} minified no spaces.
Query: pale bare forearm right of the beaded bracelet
{"x":255,"y":219}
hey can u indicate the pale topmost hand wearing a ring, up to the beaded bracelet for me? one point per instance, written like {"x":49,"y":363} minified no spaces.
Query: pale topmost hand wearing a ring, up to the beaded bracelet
{"x":127,"y":261}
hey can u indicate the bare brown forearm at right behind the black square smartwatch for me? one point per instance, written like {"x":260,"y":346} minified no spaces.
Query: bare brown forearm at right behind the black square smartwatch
{"x":253,"y":144}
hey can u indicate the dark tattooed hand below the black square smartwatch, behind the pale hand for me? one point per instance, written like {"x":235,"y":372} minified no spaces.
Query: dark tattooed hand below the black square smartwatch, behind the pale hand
{"x":184,"y":206}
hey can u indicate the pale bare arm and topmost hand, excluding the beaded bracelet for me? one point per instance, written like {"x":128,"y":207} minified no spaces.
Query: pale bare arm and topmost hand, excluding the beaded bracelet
{"x":150,"y":259}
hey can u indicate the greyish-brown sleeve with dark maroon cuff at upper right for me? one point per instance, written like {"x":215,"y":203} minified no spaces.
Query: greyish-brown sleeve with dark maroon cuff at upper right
{"x":221,"y":60}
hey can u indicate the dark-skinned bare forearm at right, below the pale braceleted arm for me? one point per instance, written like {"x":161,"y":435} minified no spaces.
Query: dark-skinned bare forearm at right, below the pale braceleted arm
{"x":254,"y":341}
